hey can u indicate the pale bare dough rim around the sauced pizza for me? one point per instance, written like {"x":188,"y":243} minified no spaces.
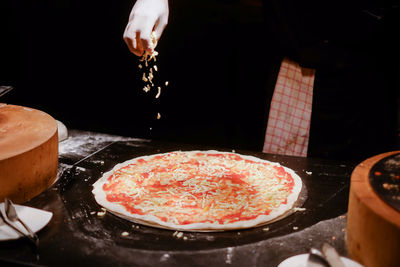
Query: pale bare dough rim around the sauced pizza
{"x":151,"y":220}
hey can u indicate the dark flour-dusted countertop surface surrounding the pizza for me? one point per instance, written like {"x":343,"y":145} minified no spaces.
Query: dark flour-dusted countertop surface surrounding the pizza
{"x":77,"y":236}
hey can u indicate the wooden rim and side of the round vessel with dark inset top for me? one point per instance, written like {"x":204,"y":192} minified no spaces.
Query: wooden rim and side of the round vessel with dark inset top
{"x":373,"y":226}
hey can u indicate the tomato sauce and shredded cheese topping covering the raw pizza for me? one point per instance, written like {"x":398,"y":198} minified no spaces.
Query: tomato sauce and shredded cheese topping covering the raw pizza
{"x":181,"y":188}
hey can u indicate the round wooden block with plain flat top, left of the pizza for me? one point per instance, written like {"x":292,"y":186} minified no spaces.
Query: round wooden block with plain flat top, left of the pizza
{"x":28,"y":152}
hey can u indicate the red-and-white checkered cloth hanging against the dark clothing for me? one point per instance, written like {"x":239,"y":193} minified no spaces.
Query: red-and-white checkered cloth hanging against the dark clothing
{"x":290,"y":112}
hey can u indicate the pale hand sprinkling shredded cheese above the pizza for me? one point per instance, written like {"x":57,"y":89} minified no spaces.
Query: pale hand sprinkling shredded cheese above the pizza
{"x":146,"y":16}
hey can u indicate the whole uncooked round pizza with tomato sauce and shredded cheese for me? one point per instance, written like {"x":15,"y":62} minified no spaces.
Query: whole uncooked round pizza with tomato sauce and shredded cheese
{"x":198,"y":190}
